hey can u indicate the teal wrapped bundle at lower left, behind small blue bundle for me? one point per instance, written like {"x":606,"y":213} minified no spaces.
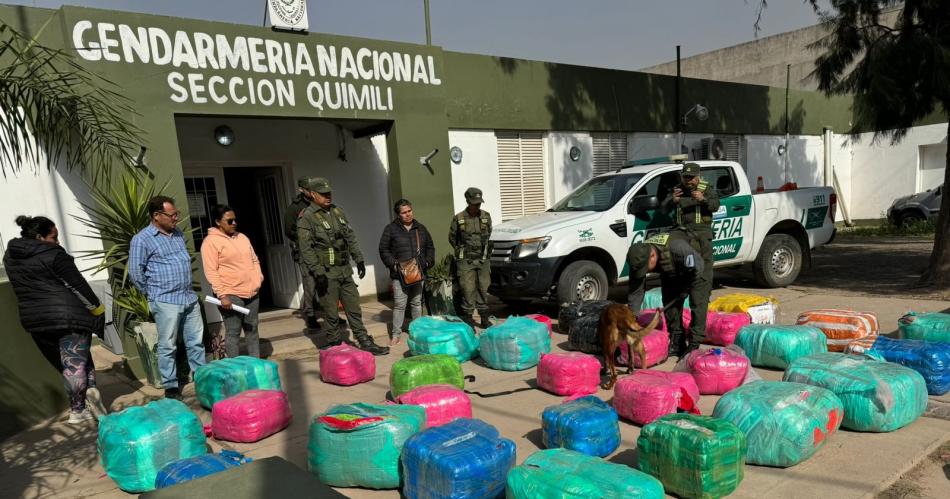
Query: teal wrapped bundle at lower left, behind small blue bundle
{"x":135,"y":444}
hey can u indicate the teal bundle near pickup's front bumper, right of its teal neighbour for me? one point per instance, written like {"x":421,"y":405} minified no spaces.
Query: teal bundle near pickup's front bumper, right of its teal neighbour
{"x":515,"y":344}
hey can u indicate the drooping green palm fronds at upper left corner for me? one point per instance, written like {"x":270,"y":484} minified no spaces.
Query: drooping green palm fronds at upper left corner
{"x":51,"y":106}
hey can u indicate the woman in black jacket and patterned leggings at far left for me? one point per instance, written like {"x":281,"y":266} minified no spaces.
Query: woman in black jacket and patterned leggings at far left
{"x":59,"y":310}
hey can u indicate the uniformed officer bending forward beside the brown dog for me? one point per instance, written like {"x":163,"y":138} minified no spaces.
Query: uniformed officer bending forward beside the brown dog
{"x":681,"y":270}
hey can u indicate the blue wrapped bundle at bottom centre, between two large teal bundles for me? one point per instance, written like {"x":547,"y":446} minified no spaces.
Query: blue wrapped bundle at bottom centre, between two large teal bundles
{"x":464,"y":458}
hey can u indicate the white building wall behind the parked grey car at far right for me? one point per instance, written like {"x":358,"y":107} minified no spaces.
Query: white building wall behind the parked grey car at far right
{"x":881,"y":172}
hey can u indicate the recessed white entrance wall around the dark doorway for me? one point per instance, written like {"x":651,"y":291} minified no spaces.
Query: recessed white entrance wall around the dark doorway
{"x":307,"y":148}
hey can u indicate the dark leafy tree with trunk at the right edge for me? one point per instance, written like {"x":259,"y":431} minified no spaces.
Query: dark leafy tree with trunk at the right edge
{"x":898,"y":73}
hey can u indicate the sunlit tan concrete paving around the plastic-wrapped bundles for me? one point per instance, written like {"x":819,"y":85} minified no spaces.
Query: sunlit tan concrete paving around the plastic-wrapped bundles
{"x":56,"y":460}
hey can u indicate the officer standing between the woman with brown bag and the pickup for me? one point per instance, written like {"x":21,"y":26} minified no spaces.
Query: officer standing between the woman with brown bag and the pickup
{"x":469,"y":235}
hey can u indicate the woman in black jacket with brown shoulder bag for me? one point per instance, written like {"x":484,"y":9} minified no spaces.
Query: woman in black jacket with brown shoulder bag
{"x":403,"y":240}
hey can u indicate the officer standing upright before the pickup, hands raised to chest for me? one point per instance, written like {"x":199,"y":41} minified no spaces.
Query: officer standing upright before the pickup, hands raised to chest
{"x":694,"y":202}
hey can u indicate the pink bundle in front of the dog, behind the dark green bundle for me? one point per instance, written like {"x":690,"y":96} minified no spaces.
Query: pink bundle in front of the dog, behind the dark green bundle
{"x":646,"y":395}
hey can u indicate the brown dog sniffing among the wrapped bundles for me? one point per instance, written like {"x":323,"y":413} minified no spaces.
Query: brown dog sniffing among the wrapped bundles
{"x":618,"y":325}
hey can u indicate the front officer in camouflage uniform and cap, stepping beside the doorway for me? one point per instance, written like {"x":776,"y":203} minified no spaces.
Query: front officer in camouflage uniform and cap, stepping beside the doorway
{"x":327,"y":244}
